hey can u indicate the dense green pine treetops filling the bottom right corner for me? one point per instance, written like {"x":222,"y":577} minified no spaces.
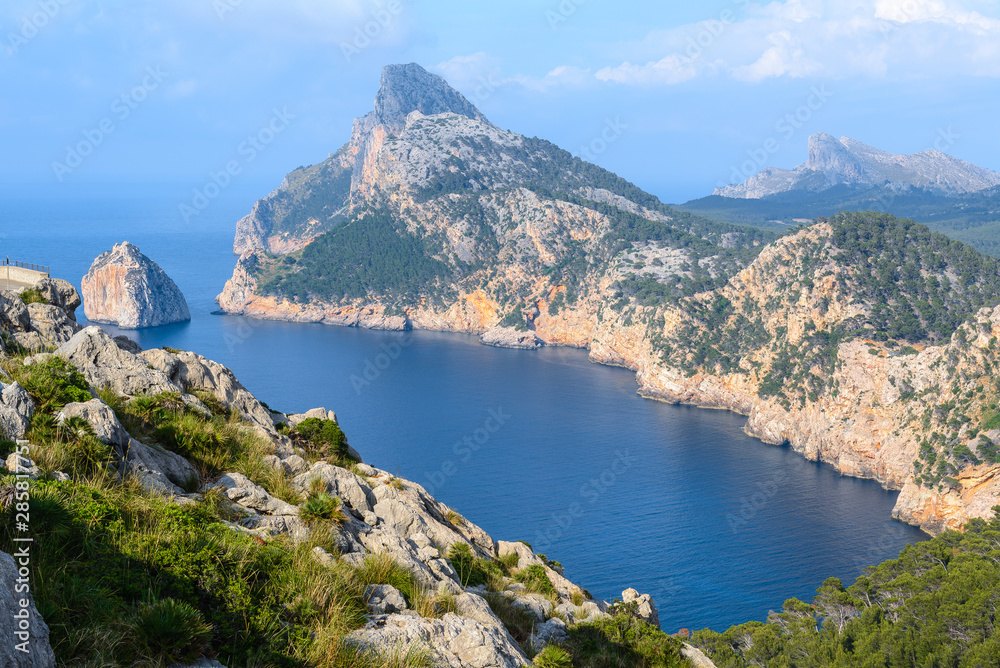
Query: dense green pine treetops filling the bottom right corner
{"x":936,"y":606}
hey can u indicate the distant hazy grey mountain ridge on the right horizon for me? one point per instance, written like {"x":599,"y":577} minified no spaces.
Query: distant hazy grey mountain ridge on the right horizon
{"x":849,"y":162}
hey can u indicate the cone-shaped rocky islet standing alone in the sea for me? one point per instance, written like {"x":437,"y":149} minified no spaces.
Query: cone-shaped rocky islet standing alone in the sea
{"x":126,"y":288}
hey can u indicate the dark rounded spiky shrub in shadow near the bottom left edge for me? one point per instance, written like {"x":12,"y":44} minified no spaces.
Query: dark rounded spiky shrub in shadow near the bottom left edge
{"x":173,"y":630}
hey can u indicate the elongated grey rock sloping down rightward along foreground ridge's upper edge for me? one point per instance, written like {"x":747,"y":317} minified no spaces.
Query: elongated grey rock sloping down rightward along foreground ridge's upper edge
{"x":193,"y":371}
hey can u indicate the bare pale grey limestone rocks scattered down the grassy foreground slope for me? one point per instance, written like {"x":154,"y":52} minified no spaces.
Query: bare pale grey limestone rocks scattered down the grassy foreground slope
{"x":382,"y":515}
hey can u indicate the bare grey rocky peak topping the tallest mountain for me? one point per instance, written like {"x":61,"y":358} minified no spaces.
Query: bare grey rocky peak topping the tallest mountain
{"x":408,"y":88}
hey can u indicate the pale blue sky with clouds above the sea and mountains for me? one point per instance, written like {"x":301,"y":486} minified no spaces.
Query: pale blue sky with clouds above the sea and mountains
{"x":677,"y":97}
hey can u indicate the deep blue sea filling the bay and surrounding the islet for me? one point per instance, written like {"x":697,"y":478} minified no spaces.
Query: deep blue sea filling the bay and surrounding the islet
{"x":542,"y":446}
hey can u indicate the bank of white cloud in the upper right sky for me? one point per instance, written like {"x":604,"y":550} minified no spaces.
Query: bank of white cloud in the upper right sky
{"x":829,"y":38}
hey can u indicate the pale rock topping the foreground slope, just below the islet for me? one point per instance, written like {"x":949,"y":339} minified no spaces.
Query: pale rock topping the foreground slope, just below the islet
{"x":103,"y":363}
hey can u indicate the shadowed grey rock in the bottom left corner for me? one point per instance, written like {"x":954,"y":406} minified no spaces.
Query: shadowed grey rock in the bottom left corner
{"x":33,"y":635}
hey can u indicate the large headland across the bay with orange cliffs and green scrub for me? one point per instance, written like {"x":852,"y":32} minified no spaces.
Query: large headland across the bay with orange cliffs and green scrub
{"x":449,"y":223}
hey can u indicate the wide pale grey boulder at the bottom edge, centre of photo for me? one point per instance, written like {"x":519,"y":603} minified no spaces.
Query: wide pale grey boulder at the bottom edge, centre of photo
{"x":454,"y":641}
